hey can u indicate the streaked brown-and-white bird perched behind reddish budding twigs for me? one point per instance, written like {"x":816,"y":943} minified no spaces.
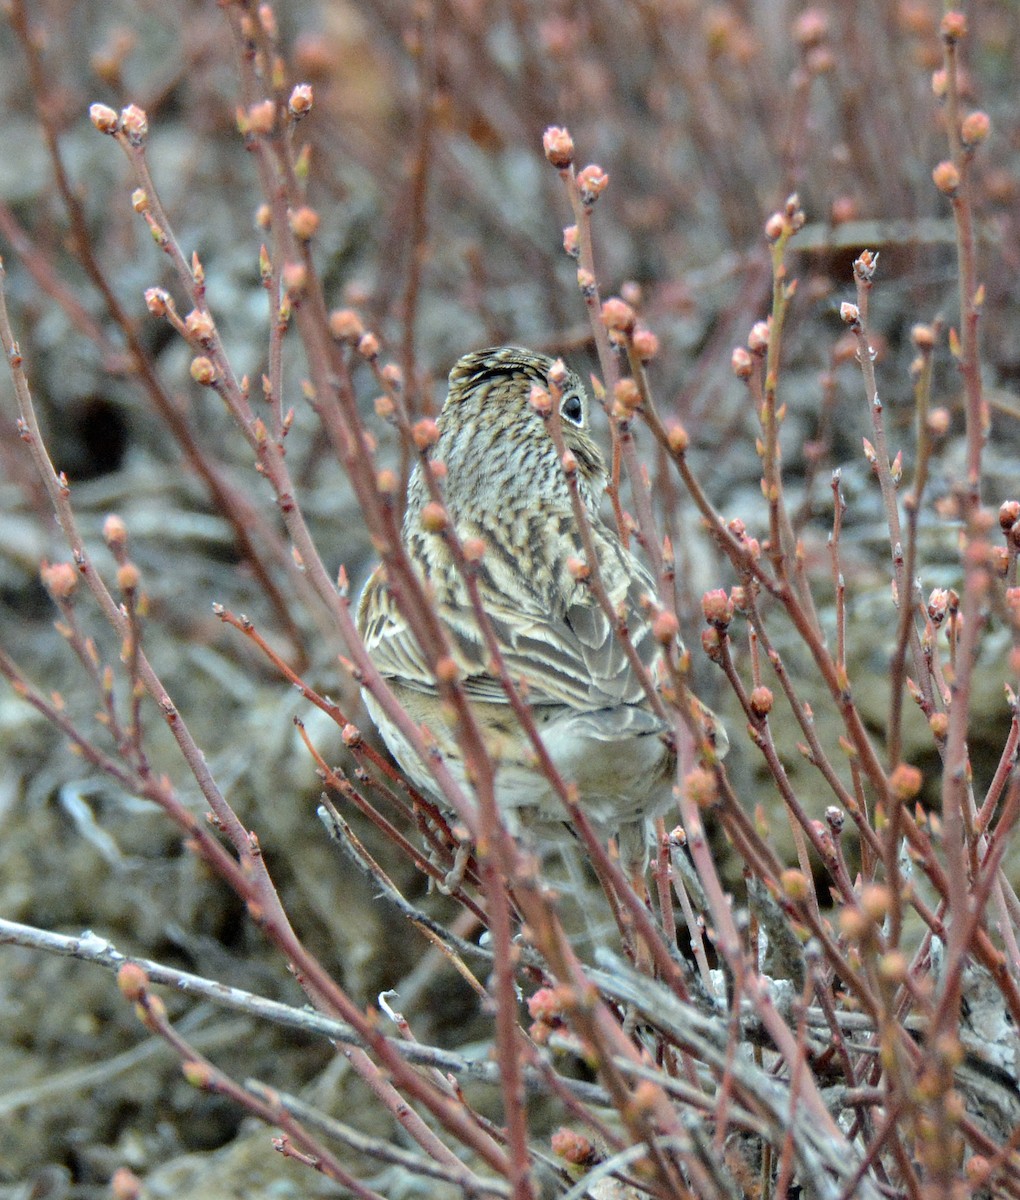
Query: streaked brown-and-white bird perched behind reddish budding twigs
{"x":505,"y":485}
